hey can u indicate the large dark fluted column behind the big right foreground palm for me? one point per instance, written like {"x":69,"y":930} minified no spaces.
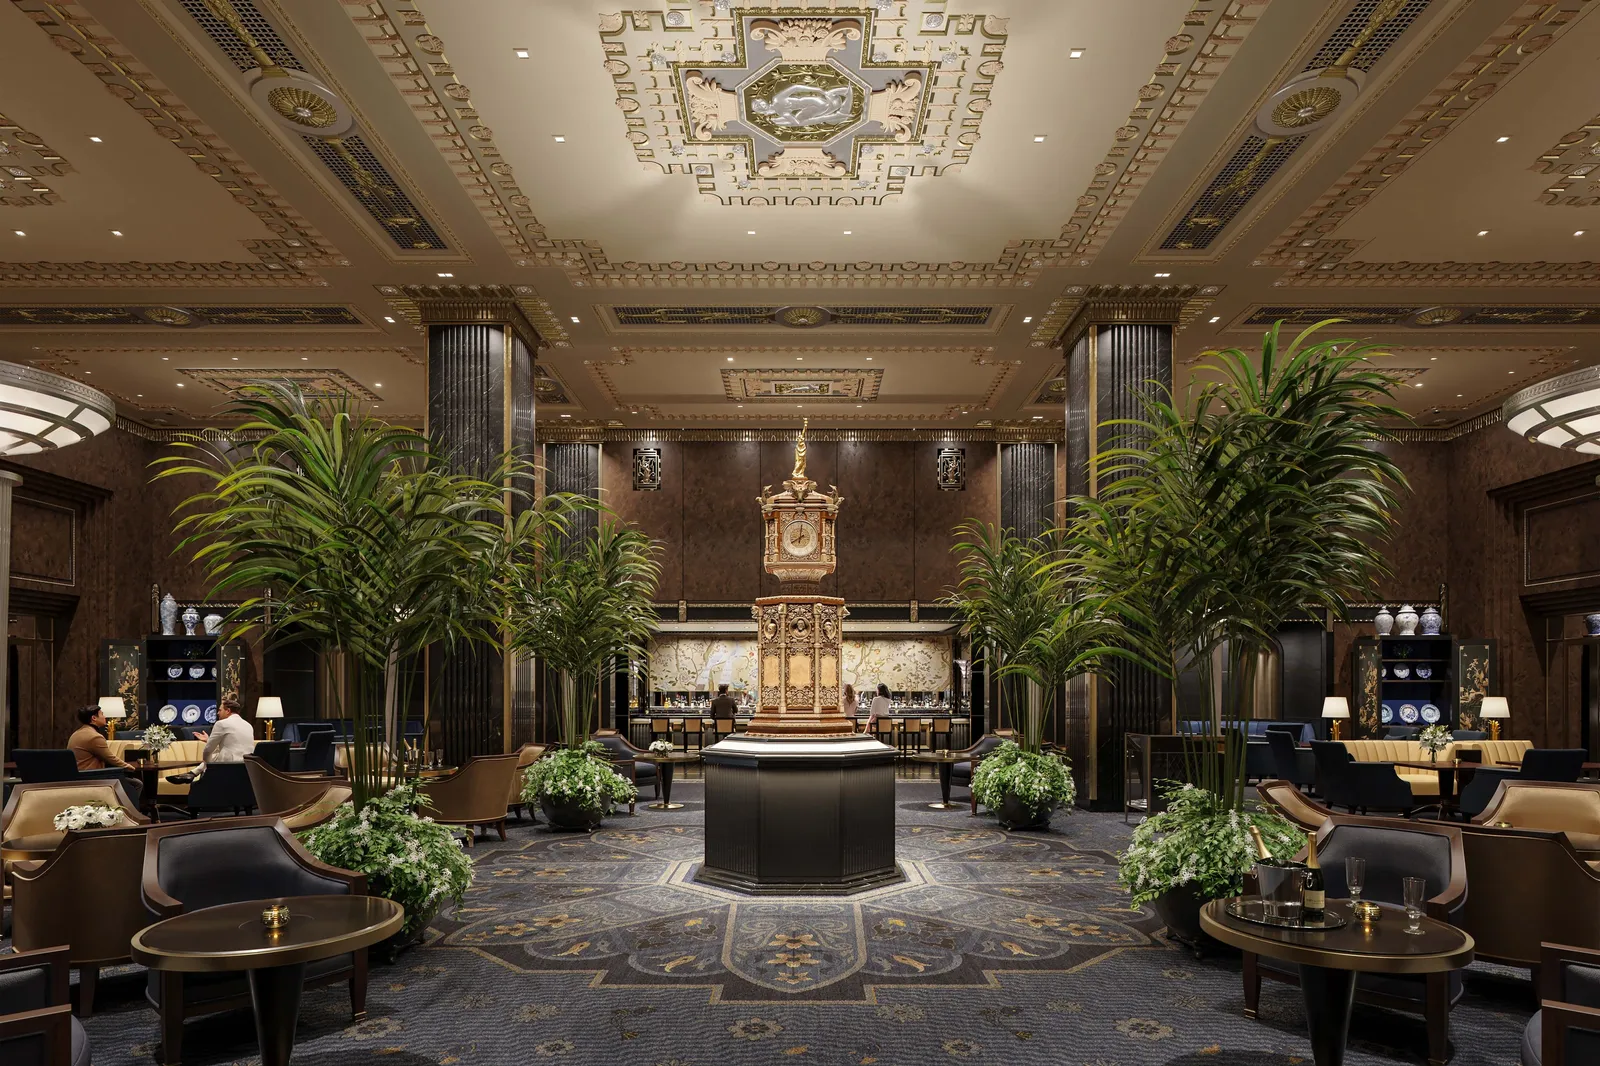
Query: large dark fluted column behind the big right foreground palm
{"x":1114,"y":350}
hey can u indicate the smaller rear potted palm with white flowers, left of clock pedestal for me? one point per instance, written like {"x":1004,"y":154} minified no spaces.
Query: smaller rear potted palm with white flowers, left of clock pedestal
{"x":580,"y":606}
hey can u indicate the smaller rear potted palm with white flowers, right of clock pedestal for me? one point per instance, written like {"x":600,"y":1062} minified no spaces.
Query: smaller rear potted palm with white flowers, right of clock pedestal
{"x":1042,"y":625}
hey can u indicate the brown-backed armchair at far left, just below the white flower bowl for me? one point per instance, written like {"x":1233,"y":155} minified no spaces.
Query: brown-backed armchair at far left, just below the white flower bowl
{"x":87,"y":897}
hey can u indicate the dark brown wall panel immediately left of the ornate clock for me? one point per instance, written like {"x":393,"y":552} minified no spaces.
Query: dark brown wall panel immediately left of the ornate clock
{"x":722,"y":524}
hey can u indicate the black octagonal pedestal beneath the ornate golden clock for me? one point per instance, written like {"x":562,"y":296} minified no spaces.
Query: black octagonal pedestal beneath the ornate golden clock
{"x":799,"y":817}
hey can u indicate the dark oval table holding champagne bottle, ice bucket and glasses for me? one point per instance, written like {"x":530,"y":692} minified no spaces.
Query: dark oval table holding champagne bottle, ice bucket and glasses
{"x":1329,"y":961}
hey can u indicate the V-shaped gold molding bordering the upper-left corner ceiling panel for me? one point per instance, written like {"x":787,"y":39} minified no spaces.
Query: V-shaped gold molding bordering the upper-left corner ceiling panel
{"x":287,"y":260}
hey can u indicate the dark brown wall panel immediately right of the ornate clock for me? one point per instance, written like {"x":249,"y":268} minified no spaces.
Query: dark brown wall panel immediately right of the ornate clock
{"x":878,"y":521}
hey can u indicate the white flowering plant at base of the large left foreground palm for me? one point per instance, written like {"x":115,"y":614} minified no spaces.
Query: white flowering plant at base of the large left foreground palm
{"x":409,"y":859}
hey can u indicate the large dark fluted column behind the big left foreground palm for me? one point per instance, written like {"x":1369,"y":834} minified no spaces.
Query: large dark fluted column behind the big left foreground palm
{"x":479,"y":407}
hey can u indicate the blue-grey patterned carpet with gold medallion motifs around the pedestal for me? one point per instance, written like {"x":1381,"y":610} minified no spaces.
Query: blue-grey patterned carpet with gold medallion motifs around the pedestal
{"x":999,"y":948}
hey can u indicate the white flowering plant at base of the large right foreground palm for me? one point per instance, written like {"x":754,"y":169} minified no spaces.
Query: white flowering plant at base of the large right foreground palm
{"x":1204,"y":844}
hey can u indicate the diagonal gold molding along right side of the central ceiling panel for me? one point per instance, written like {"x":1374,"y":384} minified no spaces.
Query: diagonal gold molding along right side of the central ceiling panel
{"x":1194,"y":58}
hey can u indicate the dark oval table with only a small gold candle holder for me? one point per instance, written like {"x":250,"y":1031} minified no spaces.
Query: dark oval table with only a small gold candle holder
{"x":231,"y":937}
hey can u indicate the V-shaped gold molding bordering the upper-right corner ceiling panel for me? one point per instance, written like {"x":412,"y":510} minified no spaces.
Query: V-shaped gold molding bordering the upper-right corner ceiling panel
{"x":1308,"y":250}
